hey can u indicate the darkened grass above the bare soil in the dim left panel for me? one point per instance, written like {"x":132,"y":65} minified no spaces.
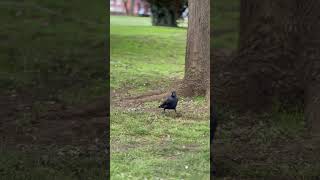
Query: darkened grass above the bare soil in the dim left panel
{"x":51,"y":48}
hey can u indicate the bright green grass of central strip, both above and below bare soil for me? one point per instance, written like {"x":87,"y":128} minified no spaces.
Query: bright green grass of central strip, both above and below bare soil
{"x":144,"y":142}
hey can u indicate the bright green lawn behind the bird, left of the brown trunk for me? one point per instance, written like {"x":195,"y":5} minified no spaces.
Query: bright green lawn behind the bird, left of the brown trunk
{"x":142,"y":55}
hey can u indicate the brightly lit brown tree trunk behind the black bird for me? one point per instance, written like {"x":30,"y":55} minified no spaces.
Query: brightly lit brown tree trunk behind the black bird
{"x":197,"y":66}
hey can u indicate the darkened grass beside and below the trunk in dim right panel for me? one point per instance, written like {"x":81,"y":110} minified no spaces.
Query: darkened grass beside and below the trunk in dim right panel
{"x":256,"y":146}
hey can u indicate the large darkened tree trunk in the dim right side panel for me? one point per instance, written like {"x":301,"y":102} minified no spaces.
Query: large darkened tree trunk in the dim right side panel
{"x":279,"y":55}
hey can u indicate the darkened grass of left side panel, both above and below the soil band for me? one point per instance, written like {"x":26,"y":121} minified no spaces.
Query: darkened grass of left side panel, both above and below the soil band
{"x":52,"y":49}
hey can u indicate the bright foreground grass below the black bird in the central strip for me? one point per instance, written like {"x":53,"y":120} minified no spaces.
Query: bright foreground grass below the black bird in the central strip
{"x":152,"y":145}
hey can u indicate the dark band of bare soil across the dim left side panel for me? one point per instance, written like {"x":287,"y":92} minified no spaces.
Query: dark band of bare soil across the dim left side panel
{"x":22,"y":124}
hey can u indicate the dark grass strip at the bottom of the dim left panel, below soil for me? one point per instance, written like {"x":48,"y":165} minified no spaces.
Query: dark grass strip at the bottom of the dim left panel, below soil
{"x":50,"y":164}
